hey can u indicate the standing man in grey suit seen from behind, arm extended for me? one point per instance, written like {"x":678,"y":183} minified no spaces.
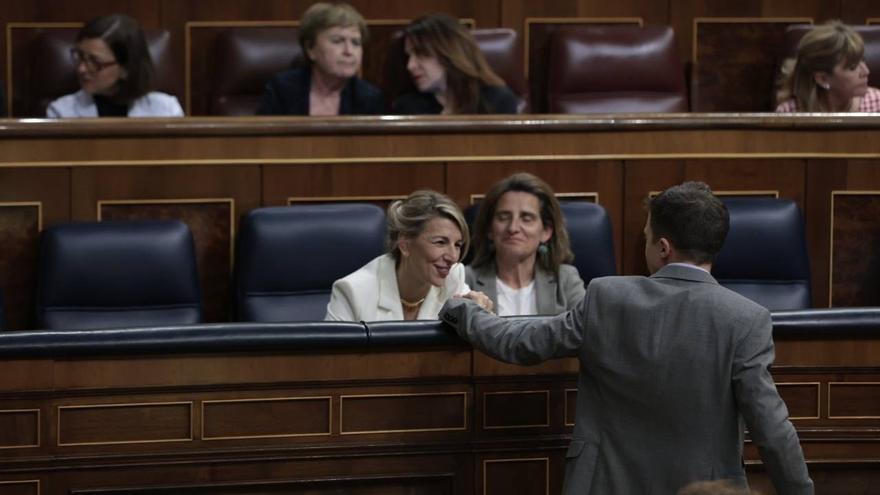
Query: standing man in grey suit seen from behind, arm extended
{"x":671,"y":365}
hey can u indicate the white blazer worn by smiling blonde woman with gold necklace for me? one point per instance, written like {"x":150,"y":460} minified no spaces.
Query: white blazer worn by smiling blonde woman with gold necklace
{"x":371,"y":294}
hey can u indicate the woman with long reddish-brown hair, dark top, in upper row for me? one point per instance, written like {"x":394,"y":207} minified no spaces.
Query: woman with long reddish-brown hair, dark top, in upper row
{"x":450,"y":72}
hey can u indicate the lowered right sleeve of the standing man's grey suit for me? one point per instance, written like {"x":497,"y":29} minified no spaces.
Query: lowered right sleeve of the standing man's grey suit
{"x":765,"y":412}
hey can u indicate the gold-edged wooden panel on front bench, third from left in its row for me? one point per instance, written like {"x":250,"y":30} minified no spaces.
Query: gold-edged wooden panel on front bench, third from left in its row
{"x":270,"y":417}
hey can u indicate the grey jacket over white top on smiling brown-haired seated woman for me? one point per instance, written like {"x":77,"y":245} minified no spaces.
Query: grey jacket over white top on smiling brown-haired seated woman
{"x":555,"y":294}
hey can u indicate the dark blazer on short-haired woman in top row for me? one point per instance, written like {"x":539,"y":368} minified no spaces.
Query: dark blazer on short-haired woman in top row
{"x":287,"y":93}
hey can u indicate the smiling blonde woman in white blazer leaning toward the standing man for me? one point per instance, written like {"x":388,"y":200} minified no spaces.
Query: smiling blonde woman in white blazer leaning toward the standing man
{"x":426,"y":238}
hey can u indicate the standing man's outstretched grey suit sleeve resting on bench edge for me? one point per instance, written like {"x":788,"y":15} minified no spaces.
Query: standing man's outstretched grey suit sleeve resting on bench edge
{"x":518,"y":341}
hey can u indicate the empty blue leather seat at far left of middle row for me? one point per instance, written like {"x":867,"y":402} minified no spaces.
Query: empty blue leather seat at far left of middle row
{"x":117,"y":274}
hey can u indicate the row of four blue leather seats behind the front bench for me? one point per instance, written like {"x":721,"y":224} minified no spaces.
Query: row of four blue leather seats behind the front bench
{"x":124,"y":274}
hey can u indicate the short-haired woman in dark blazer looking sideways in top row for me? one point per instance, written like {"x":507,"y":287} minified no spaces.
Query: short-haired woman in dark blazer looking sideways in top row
{"x":332,"y":37}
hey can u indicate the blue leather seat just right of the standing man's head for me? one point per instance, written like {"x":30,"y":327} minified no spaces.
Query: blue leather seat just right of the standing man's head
{"x":765,"y":255}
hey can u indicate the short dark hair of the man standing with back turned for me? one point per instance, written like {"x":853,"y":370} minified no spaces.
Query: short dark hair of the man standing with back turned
{"x":692,"y":218}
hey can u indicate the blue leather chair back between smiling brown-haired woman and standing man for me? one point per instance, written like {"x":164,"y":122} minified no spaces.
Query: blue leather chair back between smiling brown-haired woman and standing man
{"x":592,"y":242}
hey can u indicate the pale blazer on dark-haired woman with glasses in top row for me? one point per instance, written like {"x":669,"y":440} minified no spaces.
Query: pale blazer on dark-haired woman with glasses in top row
{"x":81,"y":104}
